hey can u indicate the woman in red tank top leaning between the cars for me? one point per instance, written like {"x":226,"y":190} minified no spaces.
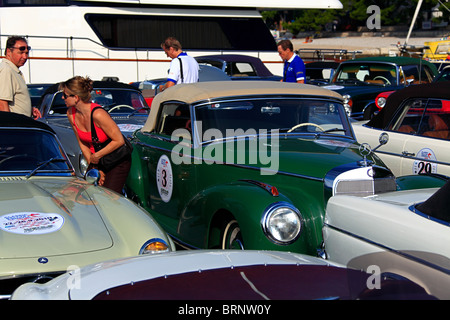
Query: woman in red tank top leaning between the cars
{"x":77,"y":96}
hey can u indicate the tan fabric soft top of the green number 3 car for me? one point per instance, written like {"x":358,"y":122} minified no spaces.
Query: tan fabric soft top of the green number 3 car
{"x":200,"y":91}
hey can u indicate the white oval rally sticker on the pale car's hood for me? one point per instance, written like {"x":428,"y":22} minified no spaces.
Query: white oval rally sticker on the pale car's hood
{"x":31,"y":223}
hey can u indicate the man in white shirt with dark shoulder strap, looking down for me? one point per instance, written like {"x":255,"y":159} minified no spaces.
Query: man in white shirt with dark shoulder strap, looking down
{"x":183,"y":68}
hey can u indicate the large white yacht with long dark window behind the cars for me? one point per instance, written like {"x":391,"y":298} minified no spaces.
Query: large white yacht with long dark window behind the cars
{"x":122,"y":38}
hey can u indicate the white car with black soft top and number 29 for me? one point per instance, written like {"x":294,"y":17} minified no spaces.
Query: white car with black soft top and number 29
{"x":417,"y":120}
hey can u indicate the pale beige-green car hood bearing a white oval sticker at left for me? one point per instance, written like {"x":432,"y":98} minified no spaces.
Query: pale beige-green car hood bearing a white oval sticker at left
{"x":48,"y":218}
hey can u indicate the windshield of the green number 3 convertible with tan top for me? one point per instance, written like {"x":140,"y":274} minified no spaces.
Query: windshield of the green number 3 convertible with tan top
{"x":287,"y":115}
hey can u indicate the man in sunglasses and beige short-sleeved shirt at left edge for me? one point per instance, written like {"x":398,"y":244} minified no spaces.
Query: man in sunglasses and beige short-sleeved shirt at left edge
{"x":14,"y":95}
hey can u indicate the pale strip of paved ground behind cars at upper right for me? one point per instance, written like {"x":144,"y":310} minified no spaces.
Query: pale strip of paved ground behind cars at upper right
{"x":368,"y":45}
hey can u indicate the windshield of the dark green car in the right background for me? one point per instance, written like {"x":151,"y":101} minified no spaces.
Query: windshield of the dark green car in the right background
{"x":366,"y":73}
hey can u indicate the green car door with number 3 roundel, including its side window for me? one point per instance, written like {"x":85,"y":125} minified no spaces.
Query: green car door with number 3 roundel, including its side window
{"x":172,"y":172}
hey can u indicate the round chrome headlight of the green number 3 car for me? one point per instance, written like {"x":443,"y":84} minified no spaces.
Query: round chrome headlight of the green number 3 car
{"x":281,"y":223}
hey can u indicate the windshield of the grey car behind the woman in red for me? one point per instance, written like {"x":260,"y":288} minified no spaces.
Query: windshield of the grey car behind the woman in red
{"x":114,"y":101}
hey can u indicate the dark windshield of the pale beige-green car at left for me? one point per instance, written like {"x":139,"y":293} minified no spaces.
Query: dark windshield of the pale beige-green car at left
{"x":23,"y":151}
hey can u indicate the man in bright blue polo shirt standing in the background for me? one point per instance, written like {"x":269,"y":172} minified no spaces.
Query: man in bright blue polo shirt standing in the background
{"x":294,"y":68}
